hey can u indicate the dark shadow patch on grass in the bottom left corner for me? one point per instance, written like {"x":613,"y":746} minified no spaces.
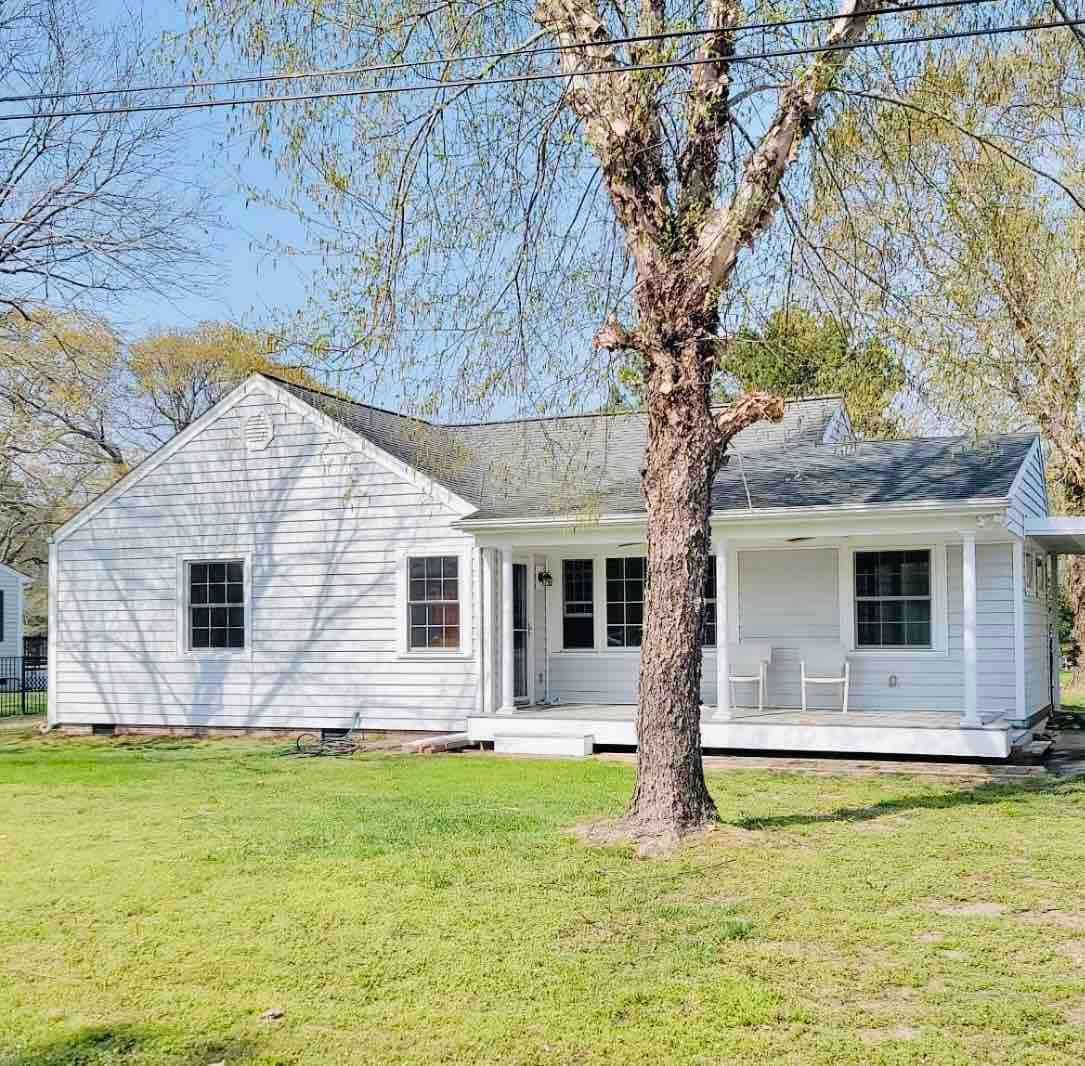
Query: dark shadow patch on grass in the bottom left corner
{"x":120,"y":1046}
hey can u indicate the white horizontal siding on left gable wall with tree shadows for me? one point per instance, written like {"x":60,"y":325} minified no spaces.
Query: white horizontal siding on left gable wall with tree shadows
{"x":325,"y":529}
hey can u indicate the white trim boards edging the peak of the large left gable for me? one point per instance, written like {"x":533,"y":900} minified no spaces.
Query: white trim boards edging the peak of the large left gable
{"x":253,"y":386}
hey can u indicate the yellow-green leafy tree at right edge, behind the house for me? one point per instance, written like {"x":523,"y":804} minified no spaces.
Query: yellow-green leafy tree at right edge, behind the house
{"x":980,"y":226}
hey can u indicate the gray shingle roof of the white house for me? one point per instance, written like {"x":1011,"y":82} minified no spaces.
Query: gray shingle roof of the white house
{"x":591,"y":464}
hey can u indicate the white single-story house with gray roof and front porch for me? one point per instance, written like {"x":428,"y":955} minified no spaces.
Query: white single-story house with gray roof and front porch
{"x":295,"y":560}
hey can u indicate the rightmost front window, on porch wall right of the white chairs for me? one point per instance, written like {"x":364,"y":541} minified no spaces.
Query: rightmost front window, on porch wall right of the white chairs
{"x":893,"y":600}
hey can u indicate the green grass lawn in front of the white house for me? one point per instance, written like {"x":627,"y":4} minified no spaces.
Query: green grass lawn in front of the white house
{"x":158,"y":897}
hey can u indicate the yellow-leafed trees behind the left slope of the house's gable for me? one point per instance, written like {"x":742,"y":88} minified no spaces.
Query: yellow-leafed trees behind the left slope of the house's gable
{"x":80,"y":408}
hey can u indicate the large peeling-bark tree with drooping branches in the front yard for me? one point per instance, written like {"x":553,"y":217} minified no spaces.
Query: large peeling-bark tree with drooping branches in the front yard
{"x":479,"y":237}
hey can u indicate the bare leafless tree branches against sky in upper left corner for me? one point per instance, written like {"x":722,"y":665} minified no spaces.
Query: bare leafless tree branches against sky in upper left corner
{"x":95,"y":206}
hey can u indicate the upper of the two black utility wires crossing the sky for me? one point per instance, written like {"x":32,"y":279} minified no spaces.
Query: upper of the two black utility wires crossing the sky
{"x":484,"y":57}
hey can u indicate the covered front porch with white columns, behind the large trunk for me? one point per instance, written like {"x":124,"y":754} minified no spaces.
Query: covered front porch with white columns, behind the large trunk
{"x":944,"y":621}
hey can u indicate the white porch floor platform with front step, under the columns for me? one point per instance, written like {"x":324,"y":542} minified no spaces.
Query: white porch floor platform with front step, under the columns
{"x":897,"y":733}
